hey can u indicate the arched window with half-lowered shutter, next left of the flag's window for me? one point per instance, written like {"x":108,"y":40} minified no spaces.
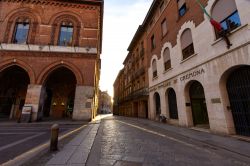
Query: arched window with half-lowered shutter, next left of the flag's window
{"x":187,"y":45}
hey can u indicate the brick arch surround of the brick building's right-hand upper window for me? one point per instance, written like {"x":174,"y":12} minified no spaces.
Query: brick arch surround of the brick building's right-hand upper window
{"x":56,"y":23}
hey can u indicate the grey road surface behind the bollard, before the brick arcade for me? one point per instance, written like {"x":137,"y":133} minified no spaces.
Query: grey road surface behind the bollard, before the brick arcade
{"x":18,"y":138}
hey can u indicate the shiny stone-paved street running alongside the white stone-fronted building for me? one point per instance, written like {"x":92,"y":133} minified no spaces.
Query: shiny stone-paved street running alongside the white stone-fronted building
{"x":132,"y":142}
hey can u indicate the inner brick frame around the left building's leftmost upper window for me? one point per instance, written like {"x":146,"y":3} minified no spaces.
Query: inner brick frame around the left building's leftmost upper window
{"x":21,"y":17}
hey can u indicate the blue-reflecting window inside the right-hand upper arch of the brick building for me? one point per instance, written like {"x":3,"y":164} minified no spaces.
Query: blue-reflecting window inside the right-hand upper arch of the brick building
{"x":66,"y":35}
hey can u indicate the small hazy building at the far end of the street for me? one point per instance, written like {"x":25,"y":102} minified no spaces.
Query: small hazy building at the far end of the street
{"x":105,"y":103}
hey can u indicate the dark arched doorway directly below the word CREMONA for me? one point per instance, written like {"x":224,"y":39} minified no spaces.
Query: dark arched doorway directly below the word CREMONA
{"x":198,"y":104}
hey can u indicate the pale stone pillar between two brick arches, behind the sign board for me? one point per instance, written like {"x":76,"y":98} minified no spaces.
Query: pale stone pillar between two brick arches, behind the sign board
{"x":33,"y":99}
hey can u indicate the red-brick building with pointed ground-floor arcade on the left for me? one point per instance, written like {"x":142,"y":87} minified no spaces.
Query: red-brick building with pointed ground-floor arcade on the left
{"x":50,"y":57}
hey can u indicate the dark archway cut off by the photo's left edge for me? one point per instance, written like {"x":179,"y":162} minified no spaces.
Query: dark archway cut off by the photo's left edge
{"x":14,"y":82}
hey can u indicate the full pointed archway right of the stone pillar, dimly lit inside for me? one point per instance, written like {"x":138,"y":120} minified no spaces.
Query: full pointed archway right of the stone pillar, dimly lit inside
{"x":59,"y":87}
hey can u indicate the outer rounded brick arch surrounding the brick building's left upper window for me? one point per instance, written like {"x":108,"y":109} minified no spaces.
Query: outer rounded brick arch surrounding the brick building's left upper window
{"x":12,"y":17}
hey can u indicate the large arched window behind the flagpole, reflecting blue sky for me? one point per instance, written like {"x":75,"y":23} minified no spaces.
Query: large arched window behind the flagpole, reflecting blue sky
{"x":225,"y":12}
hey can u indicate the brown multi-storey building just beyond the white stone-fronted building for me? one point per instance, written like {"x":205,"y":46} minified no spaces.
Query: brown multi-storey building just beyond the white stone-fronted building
{"x":131,"y":99}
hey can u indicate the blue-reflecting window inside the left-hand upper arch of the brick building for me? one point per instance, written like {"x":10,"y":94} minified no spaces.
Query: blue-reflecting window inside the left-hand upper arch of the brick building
{"x":21,"y":32}
